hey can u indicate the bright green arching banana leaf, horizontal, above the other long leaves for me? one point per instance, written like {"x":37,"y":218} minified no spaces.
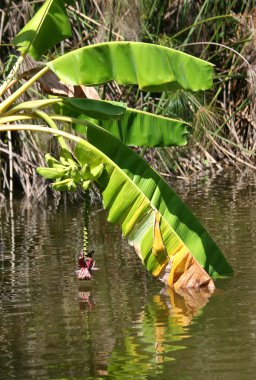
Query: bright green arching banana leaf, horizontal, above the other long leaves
{"x":151,"y":67}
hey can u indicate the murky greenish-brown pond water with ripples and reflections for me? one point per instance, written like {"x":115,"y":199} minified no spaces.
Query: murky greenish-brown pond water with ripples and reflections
{"x":123,"y":324}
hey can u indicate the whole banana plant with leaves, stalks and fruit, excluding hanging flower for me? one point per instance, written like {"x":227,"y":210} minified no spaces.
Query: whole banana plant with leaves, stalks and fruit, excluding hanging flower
{"x":171,"y":242}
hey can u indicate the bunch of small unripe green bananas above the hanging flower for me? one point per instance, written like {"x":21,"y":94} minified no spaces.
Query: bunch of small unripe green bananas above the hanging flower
{"x":67,"y":173}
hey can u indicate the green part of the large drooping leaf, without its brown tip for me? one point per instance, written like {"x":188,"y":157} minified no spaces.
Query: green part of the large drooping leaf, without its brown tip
{"x":133,"y":192}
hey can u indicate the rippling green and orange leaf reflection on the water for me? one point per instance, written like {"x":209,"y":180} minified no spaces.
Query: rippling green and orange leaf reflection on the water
{"x":156,"y":333}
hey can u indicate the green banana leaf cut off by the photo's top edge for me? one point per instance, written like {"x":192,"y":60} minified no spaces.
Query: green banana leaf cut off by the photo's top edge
{"x":49,"y":26}
